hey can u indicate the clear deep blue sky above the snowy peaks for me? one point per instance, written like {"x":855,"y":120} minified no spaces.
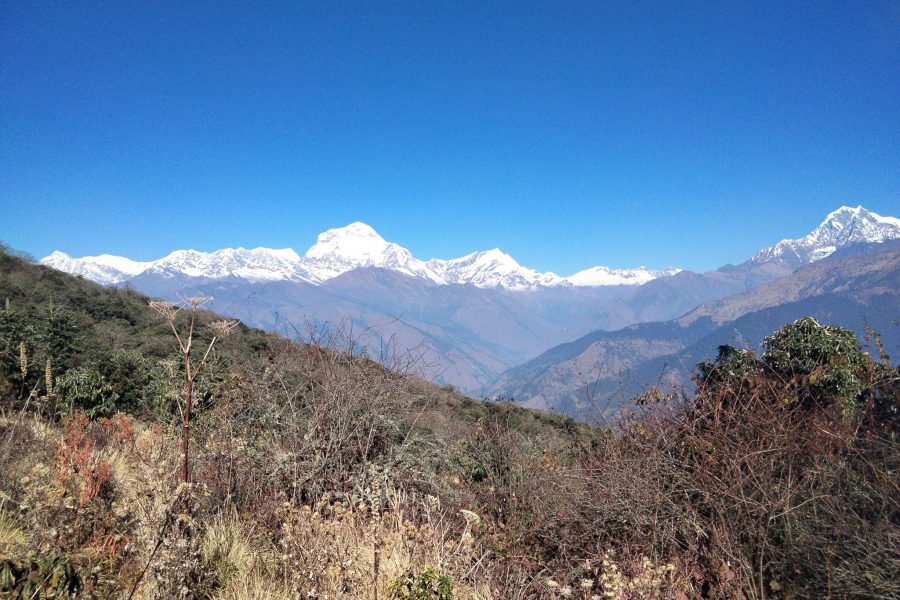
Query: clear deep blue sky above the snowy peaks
{"x":568,"y":134}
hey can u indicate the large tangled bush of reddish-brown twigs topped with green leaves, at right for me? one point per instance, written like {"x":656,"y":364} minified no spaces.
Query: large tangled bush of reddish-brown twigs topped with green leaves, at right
{"x":792,"y":459}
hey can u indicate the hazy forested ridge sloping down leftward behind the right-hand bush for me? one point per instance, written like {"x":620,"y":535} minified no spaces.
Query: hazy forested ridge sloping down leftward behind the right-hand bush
{"x":855,"y":288}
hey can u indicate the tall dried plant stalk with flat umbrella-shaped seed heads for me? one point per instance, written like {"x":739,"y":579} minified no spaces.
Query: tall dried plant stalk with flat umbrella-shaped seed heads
{"x":169,"y":312}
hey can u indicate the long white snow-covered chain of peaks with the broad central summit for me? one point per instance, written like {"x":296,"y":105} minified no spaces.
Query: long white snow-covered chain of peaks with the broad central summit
{"x":338,"y":251}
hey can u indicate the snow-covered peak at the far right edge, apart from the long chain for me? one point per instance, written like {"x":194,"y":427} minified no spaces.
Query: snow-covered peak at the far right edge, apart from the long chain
{"x":841,"y":228}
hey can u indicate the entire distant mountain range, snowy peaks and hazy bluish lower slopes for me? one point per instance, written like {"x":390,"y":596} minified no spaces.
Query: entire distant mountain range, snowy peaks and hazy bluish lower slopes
{"x":463,"y":321}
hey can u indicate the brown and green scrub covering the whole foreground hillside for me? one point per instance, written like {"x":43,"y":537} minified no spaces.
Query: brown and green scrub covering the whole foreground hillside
{"x":317,"y":473}
